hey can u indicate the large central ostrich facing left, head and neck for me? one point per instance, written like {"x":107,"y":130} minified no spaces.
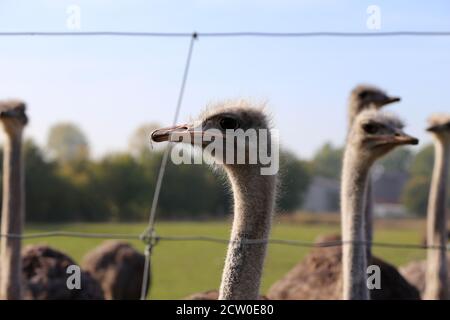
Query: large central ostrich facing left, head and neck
{"x":254,"y":193}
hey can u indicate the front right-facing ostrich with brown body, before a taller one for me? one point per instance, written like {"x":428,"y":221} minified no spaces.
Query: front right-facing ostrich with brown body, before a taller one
{"x":340,"y":272}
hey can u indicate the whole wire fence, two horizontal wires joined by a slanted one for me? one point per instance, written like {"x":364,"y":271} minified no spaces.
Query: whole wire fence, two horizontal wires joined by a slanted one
{"x":149,"y":236}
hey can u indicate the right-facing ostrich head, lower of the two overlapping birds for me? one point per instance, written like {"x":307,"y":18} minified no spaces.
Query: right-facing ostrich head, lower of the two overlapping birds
{"x":375,"y":133}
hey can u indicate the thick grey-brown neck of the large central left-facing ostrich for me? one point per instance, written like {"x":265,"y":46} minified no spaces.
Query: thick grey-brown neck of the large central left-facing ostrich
{"x":254,"y":197}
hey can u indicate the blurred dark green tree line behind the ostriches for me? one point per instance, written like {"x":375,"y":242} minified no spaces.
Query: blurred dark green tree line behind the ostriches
{"x":65,"y":183}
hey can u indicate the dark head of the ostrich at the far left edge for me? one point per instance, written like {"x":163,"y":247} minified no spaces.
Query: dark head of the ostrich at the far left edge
{"x":12,"y":116}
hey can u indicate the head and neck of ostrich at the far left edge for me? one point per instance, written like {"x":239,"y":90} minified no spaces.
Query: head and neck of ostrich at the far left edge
{"x":13,"y":119}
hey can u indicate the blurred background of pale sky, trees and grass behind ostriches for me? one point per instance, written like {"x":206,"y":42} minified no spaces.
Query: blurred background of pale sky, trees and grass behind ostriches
{"x":92,"y":102}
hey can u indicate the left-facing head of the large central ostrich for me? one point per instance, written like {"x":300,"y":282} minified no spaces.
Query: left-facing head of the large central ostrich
{"x":237,"y":128}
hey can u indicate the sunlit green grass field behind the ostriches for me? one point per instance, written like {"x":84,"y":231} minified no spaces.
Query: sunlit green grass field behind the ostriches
{"x":181,"y":268}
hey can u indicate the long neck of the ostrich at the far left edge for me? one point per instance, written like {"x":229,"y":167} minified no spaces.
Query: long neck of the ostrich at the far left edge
{"x":12,"y":217}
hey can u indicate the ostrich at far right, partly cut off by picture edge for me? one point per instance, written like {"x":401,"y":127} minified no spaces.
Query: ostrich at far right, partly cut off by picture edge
{"x":431,"y":276}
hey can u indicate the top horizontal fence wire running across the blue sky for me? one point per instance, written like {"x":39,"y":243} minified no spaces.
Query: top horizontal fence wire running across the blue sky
{"x":228,"y":34}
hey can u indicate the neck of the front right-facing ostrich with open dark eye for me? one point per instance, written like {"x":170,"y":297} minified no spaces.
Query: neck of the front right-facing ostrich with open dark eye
{"x":355,"y":174}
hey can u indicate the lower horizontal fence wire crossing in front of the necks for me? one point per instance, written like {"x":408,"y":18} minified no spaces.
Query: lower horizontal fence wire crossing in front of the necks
{"x":188,"y":238}
